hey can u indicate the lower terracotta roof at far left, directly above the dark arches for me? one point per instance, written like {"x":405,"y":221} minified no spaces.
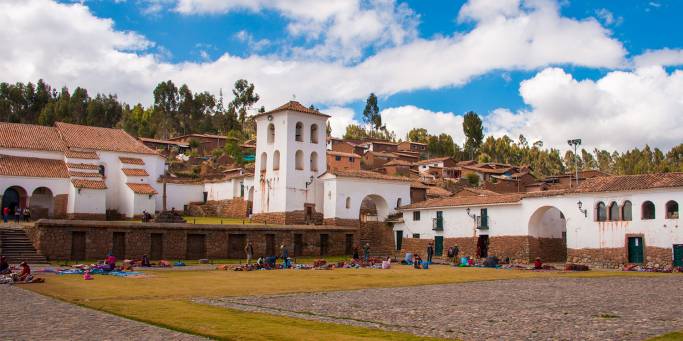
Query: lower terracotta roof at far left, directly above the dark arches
{"x":32,"y":167}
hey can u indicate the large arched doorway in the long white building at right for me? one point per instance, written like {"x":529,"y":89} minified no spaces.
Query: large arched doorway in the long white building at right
{"x":548,"y":229}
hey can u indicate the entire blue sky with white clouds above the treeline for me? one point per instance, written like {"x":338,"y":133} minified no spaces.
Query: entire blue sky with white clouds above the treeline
{"x":607,"y":71}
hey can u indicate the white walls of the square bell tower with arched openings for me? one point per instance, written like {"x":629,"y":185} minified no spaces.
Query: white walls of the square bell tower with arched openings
{"x":285,"y":190}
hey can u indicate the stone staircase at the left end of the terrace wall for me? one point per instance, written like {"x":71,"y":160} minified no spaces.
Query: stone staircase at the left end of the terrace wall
{"x":17,"y":247}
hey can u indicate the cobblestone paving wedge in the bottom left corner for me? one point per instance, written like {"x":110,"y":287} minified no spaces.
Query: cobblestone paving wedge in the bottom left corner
{"x":30,"y":316}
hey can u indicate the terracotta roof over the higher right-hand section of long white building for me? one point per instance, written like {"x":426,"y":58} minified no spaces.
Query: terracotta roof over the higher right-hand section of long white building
{"x":630,"y":182}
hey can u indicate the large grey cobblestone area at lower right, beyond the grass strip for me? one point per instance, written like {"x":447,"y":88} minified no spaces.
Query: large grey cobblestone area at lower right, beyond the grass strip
{"x":539,"y":309}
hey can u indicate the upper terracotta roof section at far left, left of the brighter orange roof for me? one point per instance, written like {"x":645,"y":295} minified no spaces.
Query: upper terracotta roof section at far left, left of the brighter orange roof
{"x":30,"y":136}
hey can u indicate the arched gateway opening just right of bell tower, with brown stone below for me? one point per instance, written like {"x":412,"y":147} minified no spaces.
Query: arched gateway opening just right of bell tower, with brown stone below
{"x":374,"y":210}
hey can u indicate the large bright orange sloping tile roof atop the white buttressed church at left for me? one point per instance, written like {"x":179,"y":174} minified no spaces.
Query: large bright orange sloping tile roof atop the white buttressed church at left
{"x":97,"y":138}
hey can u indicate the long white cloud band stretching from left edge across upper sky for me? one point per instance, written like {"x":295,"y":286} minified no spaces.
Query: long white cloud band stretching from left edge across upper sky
{"x":77,"y":48}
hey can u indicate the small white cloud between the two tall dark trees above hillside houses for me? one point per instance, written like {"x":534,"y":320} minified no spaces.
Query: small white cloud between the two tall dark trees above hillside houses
{"x":402,"y":119}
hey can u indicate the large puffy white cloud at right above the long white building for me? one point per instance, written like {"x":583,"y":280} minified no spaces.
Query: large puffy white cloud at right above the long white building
{"x":621,"y":110}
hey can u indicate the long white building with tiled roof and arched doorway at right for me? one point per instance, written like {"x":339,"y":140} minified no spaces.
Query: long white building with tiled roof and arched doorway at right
{"x":606,"y":221}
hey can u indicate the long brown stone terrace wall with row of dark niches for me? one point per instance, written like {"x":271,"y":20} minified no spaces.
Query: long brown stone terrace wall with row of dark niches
{"x":53,"y":238}
